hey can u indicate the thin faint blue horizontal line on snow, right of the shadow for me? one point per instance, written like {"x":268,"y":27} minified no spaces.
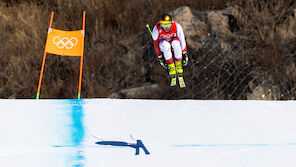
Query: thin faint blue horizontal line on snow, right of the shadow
{"x":234,"y":145}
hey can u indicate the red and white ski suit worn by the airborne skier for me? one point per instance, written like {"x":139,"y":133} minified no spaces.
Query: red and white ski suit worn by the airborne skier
{"x":165,"y":42}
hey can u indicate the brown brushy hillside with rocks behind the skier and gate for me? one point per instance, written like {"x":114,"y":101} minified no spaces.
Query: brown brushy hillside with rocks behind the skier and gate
{"x":241,"y":49}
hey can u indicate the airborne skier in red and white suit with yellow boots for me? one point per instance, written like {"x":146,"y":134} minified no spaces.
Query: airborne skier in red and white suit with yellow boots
{"x":168,"y":35}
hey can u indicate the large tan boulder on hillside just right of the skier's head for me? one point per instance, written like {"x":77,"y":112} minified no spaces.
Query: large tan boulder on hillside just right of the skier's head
{"x":199,"y":25}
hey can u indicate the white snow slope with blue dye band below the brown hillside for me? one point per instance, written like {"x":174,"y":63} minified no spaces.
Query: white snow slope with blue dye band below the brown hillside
{"x":178,"y":133}
